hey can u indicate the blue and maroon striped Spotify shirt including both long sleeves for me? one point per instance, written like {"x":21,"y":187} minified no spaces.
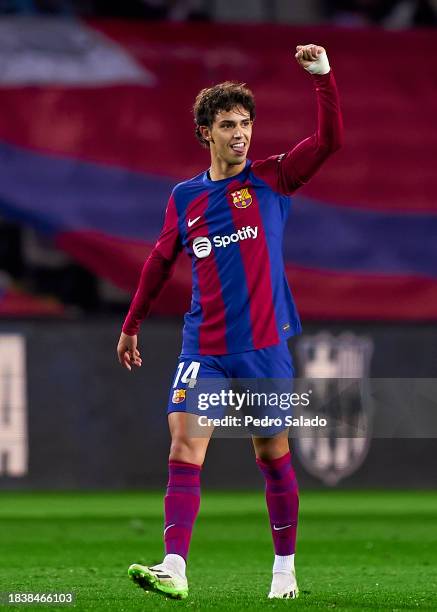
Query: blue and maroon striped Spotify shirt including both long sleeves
{"x":232,"y":229}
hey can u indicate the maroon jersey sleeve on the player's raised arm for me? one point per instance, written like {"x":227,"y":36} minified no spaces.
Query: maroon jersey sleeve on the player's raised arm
{"x":287,"y":172}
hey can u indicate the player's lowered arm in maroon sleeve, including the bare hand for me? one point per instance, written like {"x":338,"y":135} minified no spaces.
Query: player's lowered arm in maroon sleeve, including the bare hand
{"x":156,"y":271}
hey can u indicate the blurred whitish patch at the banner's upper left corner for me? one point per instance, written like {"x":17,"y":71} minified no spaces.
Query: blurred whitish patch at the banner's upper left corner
{"x":46,"y":50}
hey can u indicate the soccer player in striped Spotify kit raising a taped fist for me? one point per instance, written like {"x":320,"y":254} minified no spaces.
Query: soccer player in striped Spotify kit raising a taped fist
{"x":230,"y":219}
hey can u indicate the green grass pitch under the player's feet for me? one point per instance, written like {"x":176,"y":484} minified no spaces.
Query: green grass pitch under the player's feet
{"x":356,"y":550}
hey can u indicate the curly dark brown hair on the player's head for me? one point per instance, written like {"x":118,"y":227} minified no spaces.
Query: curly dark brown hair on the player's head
{"x":222,"y":97}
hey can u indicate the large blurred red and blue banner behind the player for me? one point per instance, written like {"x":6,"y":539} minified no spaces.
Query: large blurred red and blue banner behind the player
{"x":96,"y":128}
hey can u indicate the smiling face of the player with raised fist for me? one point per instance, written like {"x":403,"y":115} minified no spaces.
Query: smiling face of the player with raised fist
{"x":230,"y":135}
